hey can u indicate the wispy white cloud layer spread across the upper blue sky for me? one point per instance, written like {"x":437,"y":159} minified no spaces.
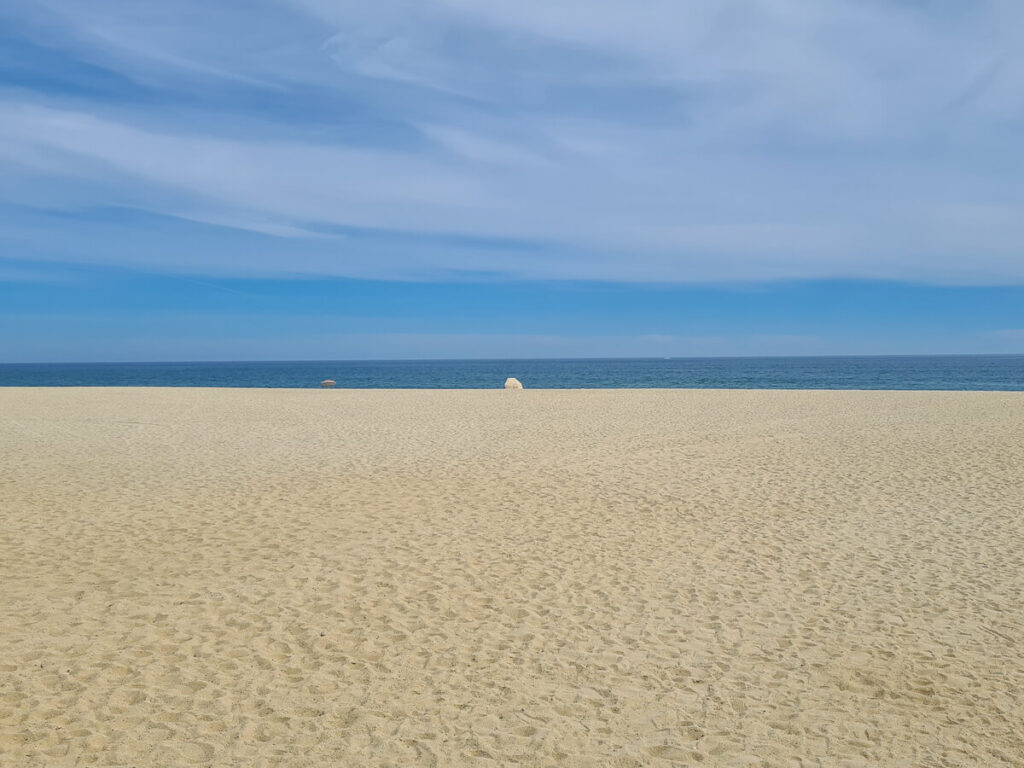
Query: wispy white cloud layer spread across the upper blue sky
{"x":727,"y":140}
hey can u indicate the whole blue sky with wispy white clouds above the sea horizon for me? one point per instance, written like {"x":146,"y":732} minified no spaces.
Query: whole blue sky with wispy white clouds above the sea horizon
{"x":276,"y":180}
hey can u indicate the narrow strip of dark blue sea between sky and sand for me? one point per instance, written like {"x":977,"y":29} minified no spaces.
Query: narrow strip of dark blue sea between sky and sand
{"x":948,"y":372}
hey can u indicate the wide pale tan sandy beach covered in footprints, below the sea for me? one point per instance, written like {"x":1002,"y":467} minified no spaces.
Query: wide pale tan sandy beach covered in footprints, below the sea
{"x":306,"y":578}
